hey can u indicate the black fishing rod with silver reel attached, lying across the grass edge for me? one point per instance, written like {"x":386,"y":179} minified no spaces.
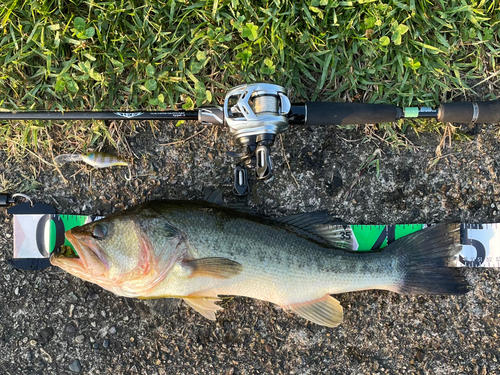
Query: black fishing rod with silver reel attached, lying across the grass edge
{"x":257,"y":112}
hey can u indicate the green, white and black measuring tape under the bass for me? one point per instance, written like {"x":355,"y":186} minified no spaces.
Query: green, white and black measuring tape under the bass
{"x":39,"y":231}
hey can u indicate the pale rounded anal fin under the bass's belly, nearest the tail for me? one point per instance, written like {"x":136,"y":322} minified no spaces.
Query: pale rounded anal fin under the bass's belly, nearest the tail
{"x":325,"y":311}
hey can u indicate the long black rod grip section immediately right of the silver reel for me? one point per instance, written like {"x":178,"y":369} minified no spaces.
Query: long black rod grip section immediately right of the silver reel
{"x":324,"y":113}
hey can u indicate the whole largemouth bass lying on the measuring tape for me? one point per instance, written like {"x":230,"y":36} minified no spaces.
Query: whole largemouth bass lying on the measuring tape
{"x":199,"y":251}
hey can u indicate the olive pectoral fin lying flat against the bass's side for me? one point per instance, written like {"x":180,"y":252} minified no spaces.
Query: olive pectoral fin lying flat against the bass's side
{"x":219,"y":268}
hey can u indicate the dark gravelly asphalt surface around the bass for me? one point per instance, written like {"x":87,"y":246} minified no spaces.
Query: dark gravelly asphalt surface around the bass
{"x":52,"y":322}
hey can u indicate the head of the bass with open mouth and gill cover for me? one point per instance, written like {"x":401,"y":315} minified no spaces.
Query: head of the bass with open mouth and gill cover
{"x":116,"y":253}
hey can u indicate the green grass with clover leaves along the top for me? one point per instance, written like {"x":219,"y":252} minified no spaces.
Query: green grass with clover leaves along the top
{"x":71,"y":54}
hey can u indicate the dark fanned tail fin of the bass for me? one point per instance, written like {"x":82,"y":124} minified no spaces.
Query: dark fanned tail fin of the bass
{"x":425,"y":257}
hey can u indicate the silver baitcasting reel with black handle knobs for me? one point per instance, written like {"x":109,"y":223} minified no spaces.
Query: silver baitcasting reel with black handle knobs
{"x":255,"y":114}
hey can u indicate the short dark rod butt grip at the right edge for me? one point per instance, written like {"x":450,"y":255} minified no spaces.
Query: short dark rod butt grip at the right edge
{"x":463,"y":112}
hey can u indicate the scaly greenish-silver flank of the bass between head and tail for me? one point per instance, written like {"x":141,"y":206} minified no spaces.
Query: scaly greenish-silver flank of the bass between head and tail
{"x":310,"y":269}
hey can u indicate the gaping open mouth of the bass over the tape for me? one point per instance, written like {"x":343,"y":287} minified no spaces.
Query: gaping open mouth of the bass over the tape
{"x":82,"y":259}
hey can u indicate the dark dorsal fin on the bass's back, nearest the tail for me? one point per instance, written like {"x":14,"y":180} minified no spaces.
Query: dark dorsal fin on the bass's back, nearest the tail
{"x":318,"y":226}
